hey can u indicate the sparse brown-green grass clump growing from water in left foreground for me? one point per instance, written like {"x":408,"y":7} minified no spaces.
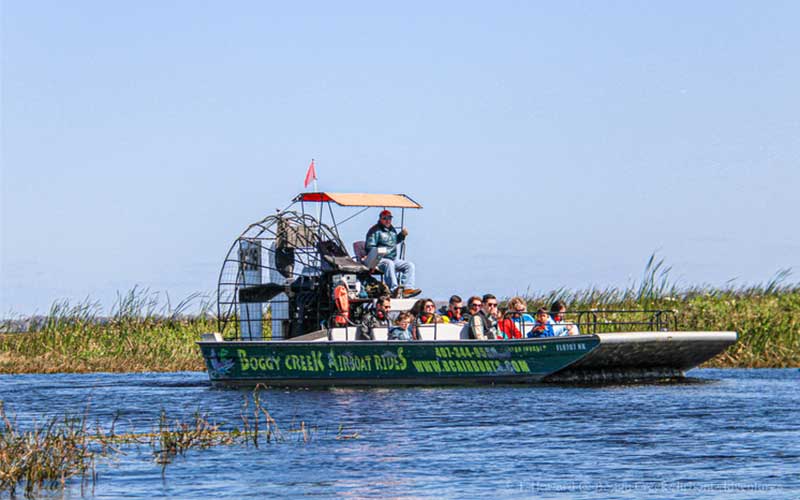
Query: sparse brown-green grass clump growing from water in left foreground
{"x":49,"y":456}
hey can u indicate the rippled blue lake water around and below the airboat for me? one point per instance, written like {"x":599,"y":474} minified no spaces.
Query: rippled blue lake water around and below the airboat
{"x":723,"y":433}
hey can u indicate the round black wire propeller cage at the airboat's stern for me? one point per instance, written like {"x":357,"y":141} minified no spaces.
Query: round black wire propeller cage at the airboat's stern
{"x":271,"y":283}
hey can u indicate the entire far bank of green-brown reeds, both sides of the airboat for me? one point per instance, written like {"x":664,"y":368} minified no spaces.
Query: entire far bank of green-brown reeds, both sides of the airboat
{"x":141,"y":335}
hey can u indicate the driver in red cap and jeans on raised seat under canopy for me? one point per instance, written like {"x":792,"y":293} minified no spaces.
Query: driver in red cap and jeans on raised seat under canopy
{"x":384,"y":235}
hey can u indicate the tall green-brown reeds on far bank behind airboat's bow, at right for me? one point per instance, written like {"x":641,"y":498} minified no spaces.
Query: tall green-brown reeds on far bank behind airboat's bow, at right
{"x":766,"y":315}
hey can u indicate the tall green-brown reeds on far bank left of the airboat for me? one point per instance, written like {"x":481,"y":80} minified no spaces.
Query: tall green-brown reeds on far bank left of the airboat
{"x":138,"y":335}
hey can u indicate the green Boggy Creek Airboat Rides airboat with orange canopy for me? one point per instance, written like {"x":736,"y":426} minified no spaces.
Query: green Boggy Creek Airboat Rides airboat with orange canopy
{"x":290,"y":298}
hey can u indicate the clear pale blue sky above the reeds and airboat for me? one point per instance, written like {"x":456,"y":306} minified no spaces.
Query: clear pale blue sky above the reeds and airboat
{"x":552,"y":144}
